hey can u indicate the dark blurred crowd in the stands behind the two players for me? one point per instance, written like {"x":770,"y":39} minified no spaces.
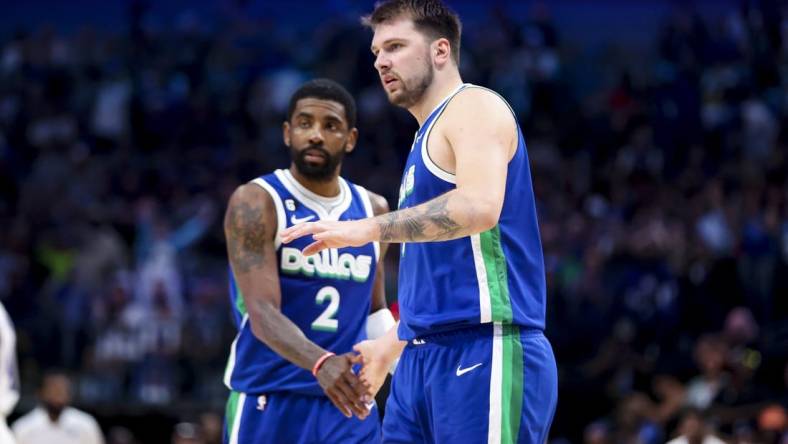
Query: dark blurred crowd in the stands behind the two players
{"x":661,"y":179}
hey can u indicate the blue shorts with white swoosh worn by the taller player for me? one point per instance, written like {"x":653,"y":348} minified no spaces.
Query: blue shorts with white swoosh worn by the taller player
{"x":488,"y":384}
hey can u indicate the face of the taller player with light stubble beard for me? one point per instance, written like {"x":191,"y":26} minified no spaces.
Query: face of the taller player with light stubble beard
{"x":403,"y":61}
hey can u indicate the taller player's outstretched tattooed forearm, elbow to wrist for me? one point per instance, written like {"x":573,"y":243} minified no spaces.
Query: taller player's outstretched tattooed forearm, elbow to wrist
{"x":449,"y":216}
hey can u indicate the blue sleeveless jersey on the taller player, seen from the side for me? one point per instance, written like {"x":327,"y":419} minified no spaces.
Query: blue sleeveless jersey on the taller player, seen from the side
{"x":494,"y":276}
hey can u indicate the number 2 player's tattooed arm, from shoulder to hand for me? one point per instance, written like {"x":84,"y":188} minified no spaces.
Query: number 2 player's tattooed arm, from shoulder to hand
{"x":250,"y":226}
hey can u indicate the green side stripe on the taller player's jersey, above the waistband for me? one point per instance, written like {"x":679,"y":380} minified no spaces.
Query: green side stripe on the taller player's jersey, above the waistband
{"x":497,"y":276}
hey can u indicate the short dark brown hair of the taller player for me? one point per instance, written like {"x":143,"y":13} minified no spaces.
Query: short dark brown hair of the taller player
{"x":431,"y":17}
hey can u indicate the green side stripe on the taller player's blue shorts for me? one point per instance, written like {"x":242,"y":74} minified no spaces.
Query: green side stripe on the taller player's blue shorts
{"x":512,"y":384}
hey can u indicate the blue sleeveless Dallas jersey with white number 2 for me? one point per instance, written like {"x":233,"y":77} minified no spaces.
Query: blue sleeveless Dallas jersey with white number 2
{"x":327,"y":295}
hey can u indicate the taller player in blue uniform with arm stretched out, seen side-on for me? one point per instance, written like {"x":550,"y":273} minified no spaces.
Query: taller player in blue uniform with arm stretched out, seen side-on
{"x":476,"y":367}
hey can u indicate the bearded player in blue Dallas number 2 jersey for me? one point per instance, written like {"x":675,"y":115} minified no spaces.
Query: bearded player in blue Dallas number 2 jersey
{"x":295,"y":311}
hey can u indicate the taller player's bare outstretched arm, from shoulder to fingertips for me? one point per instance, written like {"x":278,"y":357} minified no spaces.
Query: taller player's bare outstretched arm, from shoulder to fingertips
{"x":480,"y":144}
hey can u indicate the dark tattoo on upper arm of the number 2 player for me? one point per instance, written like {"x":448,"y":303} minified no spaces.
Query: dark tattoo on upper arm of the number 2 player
{"x":245,"y":236}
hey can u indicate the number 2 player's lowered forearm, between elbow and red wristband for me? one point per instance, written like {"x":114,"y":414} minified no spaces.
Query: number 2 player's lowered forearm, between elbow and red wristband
{"x":284,"y":337}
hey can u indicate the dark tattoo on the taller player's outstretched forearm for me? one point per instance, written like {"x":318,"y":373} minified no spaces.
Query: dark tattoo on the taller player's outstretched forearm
{"x":431,"y":224}
